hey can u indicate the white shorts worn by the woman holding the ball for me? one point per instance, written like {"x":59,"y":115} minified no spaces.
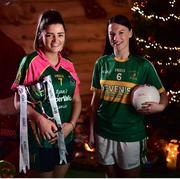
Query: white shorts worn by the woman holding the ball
{"x":127,"y":155}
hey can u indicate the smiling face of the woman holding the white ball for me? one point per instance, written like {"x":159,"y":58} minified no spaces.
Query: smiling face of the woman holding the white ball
{"x":119,"y":36}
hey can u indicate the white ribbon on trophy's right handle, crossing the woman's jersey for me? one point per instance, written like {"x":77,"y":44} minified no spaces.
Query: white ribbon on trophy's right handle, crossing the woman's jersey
{"x":57,"y":118}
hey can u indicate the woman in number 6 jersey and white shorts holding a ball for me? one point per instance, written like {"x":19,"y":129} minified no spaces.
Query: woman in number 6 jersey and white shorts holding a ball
{"x":116,"y":128}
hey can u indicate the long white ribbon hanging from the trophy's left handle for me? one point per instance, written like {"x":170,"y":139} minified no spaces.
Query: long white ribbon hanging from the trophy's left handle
{"x":24,"y":145}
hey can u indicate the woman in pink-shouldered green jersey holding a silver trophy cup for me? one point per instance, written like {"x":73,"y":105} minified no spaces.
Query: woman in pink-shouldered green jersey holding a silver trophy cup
{"x":47,"y":60}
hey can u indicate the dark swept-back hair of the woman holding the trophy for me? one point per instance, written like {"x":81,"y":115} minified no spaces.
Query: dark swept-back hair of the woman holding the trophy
{"x":47,"y":18}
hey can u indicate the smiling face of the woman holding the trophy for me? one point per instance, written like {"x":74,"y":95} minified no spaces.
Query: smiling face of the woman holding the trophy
{"x":53,"y":38}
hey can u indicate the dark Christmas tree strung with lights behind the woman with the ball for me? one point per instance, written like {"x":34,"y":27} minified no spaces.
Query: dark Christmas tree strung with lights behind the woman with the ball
{"x":156,"y":24}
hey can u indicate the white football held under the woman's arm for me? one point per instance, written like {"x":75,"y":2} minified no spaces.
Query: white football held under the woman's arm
{"x":144,"y":93}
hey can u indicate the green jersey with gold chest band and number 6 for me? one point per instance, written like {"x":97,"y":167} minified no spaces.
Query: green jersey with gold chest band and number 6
{"x":116,"y":117}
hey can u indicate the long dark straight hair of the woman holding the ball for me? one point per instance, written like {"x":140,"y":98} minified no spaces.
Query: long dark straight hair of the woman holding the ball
{"x":122,"y":20}
